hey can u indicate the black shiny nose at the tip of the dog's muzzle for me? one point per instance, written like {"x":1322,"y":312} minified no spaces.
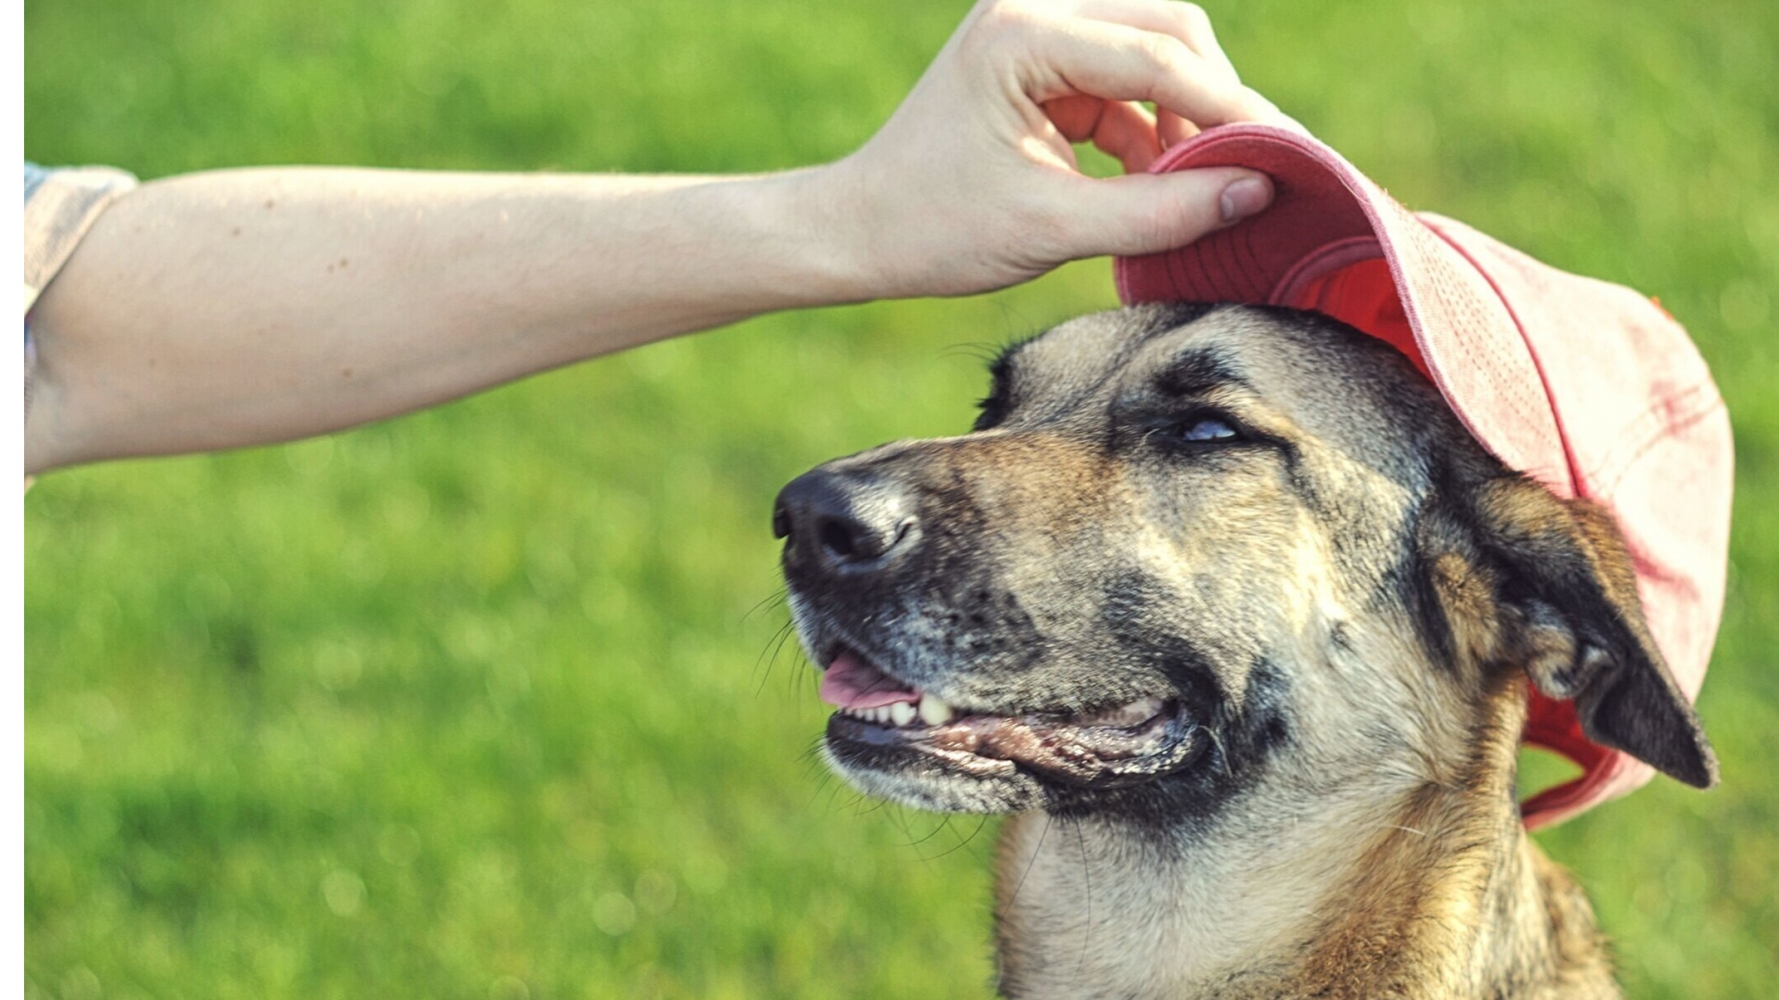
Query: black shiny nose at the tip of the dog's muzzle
{"x":835,"y":520}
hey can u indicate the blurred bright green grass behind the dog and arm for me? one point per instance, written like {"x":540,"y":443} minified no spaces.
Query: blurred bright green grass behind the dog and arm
{"x":476,"y":704}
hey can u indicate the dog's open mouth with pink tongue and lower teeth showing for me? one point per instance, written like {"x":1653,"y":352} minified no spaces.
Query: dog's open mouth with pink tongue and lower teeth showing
{"x":887,"y":725}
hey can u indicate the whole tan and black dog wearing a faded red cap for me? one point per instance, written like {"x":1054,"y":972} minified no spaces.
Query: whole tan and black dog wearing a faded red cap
{"x":1236,"y":620}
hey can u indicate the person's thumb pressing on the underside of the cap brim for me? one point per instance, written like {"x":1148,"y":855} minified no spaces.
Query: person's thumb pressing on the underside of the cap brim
{"x":1141,"y":214}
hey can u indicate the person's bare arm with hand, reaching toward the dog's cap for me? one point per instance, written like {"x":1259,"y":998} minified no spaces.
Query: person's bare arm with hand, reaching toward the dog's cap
{"x":246,"y":307}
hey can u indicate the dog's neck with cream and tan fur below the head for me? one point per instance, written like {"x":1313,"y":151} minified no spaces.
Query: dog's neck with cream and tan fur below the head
{"x":1431,"y":892}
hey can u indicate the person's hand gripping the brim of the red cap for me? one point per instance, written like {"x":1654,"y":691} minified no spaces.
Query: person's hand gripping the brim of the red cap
{"x":974,"y":184}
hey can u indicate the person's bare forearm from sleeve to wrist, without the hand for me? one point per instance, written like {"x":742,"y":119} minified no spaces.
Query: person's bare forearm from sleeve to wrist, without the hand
{"x":248,"y":307}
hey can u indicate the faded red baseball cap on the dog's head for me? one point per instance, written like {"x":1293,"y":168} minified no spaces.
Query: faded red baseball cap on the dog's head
{"x":1588,"y":387}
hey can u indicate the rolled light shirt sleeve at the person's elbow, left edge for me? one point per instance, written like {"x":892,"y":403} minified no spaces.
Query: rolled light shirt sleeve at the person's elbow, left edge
{"x":60,"y":209}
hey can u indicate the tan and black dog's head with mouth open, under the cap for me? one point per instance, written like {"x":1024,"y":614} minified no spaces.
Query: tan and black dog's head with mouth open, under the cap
{"x":1191,"y":551}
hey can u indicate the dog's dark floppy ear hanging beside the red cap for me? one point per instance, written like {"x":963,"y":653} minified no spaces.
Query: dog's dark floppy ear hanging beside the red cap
{"x":1572,"y":617}
